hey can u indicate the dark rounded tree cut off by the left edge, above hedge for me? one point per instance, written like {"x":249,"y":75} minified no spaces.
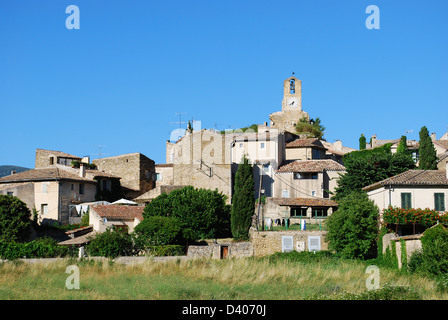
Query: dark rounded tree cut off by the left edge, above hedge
{"x":14,"y":218}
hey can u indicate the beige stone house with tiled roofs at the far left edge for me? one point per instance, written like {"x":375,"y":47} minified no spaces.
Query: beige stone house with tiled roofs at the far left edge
{"x":54,"y":189}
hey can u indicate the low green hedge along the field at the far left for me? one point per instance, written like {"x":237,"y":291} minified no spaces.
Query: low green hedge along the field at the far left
{"x":39,"y":248}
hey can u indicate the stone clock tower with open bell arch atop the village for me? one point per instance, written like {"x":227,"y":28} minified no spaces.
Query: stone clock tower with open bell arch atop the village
{"x":292,"y":112}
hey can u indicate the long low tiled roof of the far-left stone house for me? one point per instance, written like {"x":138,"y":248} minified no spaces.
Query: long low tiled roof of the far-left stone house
{"x":44,"y":174}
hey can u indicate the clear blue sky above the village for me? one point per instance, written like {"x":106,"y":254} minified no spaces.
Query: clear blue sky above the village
{"x":121,"y":78}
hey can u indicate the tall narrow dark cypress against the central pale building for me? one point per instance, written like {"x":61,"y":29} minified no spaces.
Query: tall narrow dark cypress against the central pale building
{"x":243,"y":204}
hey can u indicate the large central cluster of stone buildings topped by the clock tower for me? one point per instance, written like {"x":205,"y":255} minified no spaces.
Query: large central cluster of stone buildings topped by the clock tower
{"x":300,"y":170}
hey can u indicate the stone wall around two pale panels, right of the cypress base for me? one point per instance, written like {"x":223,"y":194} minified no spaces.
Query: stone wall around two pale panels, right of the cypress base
{"x":269,"y":242}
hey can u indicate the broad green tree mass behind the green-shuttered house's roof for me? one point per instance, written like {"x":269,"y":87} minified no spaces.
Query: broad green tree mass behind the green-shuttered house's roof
{"x":369,"y":166}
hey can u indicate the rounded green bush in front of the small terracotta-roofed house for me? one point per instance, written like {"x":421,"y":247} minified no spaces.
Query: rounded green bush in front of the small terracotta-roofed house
{"x":111,"y":244}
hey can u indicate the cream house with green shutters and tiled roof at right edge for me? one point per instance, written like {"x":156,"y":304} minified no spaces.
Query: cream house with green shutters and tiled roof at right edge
{"x":412,"y":189}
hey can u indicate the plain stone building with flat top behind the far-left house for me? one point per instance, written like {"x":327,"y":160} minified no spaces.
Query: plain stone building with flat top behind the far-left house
{"x":135,"y":170}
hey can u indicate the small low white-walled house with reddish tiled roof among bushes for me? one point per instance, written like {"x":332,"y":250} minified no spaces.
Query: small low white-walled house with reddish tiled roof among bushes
{"x":102,"y":217}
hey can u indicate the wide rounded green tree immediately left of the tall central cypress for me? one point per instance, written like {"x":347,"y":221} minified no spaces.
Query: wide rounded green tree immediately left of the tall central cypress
{"x":203,"y":212}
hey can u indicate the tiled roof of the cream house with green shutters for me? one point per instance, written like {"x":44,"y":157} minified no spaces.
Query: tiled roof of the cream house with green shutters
{"x":413,"y":178}
